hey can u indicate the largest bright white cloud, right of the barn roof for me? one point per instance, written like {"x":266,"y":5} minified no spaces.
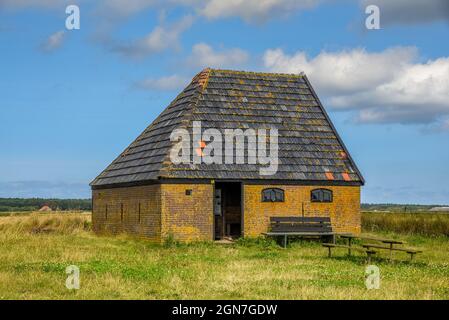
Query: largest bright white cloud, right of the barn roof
{"x":381,"y":87}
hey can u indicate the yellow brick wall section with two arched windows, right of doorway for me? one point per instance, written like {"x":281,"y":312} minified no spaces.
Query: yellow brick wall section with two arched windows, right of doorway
{"x":344,"y":211}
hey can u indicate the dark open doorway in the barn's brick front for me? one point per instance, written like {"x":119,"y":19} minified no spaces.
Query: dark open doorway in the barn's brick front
{"x":228,"y":210}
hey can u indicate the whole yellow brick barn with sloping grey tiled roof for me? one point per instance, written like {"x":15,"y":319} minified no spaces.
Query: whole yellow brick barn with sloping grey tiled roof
{"x":208,"y":187}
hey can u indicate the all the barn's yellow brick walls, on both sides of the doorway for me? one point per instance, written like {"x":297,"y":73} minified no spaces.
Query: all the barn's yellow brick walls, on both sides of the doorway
{"x":166,"y":210}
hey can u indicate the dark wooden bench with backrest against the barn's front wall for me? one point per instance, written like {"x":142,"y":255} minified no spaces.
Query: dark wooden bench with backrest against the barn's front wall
{"x":300,"y":227}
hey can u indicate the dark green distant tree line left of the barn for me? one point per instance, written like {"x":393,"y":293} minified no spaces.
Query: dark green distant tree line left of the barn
{"x":33,"y":204}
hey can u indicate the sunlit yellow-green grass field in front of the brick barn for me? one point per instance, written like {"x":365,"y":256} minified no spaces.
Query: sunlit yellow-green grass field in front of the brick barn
{"x":36,"y":249}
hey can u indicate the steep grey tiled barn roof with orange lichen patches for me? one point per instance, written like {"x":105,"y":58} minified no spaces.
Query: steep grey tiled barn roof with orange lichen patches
{"x":309,"y":146}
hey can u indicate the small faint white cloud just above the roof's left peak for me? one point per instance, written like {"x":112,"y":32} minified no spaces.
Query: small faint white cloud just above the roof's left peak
{"x":204,"y":55}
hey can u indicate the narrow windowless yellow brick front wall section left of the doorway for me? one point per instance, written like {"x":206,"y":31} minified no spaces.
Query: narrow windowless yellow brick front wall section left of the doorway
{"x":187,"y":217}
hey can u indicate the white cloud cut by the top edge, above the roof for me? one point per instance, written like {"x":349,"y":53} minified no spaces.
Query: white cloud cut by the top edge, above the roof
{"x":253,"y":10}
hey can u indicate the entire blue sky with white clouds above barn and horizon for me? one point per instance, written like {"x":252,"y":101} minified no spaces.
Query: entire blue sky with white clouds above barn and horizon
{"x":71,"y":100}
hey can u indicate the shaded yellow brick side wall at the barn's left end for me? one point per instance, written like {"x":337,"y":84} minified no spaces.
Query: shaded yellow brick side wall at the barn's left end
{"x":116,"y":220}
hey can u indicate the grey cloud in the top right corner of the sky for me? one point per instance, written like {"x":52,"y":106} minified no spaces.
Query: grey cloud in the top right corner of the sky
{"x":410,"y":11}
